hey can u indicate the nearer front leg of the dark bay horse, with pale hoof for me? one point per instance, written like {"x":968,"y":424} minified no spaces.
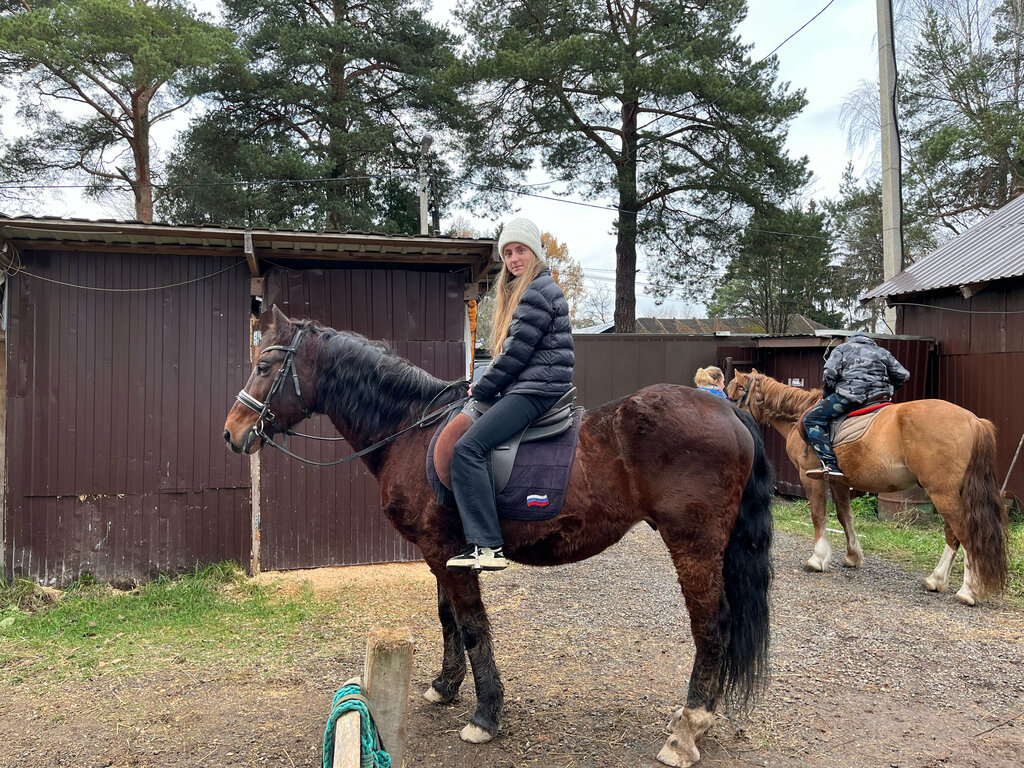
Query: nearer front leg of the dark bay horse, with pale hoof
{"x":467,"y":608}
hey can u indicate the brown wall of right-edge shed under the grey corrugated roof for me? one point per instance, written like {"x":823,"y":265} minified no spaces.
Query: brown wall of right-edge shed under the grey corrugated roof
{"x":980,"y":359}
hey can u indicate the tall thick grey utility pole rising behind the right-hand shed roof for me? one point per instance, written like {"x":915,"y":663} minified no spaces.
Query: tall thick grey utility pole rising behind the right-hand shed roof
{"x":892,"y":189}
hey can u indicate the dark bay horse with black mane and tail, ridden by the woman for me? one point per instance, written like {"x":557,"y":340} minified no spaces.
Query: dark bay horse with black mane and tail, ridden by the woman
{"x":691,"y":464}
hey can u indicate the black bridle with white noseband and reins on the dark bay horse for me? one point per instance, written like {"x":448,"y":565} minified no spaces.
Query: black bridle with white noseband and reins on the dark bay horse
{"x":266,"y":416}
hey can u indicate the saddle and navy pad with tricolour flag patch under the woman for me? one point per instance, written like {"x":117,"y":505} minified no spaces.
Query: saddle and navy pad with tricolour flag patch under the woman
{"x":518,"y":488}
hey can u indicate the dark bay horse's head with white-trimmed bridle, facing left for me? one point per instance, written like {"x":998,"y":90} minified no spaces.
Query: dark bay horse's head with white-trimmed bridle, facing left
{"x":278,"y":396}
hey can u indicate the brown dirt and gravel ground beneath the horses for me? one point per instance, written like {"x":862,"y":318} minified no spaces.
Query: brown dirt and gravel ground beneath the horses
{"x":868,"y":670}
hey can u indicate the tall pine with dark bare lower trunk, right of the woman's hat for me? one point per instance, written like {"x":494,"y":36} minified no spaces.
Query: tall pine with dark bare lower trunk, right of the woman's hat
{"x":655,"y":106}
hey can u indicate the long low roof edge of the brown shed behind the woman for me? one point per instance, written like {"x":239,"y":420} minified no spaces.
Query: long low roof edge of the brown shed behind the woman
{"x":284,"y":243}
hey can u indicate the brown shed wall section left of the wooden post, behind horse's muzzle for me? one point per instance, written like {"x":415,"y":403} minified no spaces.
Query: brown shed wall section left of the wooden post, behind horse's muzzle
{"x":116,"y":404}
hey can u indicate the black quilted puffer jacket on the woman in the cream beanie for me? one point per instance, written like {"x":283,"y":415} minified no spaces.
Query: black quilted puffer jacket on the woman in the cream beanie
{"x":537,"y":357}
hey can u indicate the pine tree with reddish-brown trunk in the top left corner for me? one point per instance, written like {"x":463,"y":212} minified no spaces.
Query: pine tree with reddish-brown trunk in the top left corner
{"x":124,"y":62}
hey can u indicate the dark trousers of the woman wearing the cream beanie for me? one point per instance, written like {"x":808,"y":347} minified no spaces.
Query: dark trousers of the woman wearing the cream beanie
{"x":473,"y":482}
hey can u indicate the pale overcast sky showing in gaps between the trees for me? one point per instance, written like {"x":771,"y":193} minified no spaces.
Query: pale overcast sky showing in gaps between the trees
{"x":829,"y":59}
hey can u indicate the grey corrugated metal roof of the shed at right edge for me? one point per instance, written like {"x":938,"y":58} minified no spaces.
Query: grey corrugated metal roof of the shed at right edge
{"x":993,"y":249}
